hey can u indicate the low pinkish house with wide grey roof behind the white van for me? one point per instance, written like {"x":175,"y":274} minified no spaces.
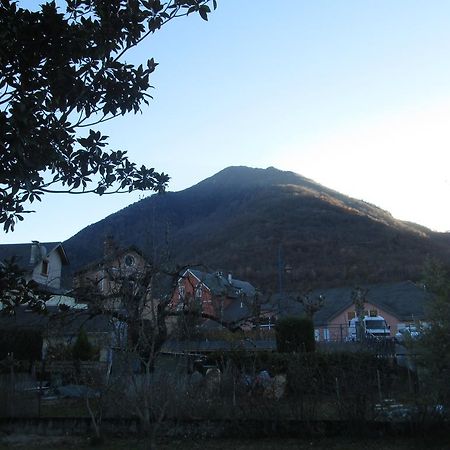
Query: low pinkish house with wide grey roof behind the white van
{"x":399,"y":303}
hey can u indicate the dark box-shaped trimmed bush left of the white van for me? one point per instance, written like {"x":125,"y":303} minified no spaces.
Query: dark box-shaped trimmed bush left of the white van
{"x":295,"y":335}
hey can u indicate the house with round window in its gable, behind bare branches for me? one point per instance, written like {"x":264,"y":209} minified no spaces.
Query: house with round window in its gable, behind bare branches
{"x":107,"y":277}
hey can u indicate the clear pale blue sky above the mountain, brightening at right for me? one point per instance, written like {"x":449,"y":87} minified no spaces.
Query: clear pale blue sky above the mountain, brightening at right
{"x":353,"y":94}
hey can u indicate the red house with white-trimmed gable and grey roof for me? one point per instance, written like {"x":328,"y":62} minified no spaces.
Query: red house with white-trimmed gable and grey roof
{"x":219,"y":297}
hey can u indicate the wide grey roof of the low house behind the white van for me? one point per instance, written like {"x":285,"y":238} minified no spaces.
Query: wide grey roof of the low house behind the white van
{"x":404,"y":300}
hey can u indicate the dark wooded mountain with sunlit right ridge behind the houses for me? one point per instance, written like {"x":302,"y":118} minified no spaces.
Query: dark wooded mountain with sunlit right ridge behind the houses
{"x":252,"y":221}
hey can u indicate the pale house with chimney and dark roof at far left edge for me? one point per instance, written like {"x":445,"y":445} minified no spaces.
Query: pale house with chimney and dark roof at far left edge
{"x":42,"y":263}
